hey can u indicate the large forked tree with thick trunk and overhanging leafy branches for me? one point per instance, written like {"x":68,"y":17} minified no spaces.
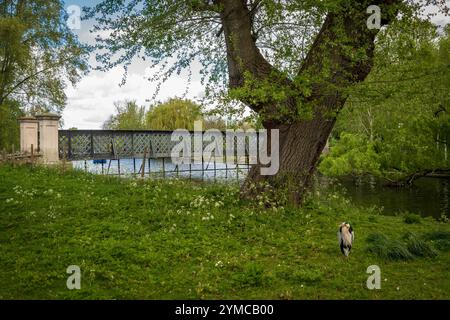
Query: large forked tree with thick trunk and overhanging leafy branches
{"x":291,"y":62}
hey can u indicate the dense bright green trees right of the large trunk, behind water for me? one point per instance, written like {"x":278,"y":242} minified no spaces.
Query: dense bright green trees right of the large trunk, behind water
{"x":397,"y":124}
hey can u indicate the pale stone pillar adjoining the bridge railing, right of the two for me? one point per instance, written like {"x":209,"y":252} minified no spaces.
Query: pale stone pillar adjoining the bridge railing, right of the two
{"x":48,"y":137}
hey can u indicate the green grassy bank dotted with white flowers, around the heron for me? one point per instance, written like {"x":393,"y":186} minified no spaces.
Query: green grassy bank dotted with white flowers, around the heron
{"x":184,"y":240}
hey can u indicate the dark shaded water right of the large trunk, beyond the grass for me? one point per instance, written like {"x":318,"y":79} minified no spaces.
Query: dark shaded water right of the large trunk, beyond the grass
{"x":427,"y":197}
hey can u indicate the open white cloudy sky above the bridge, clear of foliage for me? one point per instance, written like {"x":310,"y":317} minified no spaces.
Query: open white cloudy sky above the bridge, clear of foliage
{"x":91,"y":101}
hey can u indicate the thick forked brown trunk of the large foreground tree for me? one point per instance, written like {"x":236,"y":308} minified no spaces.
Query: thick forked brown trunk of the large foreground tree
{"x":341,"y":55}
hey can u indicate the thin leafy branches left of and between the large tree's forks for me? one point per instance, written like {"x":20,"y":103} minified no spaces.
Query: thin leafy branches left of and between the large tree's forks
{"x":175,"y":34}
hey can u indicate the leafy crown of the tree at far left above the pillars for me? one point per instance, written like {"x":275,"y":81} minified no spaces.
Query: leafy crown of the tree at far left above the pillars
{"x":38,"y":53}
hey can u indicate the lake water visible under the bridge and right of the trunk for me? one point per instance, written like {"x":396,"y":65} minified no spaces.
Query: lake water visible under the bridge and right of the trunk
{"x":428,"y":196}
